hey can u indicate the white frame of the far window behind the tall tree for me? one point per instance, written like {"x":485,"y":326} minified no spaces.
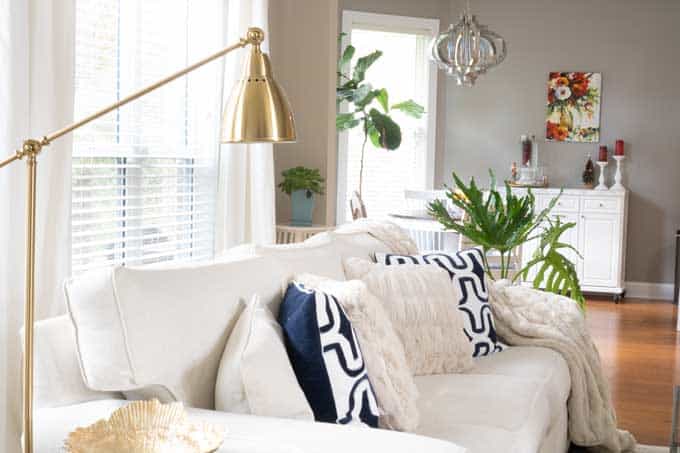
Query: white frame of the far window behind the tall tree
{"x":393,"y":23}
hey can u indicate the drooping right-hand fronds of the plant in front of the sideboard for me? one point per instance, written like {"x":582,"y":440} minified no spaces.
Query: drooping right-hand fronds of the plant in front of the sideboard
{"x":556,"y":273}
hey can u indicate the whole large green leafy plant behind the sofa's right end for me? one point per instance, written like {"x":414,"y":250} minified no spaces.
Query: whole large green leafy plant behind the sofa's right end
{"x":505,"y":222}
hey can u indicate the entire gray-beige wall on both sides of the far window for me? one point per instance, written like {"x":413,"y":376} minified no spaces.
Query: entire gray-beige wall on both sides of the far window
{"x":635,"y":45}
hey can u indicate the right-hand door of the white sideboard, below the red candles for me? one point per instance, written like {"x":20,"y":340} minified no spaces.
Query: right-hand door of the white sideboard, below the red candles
{"x":599,"y":236}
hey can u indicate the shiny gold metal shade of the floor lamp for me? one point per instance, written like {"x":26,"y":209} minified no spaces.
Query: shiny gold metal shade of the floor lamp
{"x":258,"y":110}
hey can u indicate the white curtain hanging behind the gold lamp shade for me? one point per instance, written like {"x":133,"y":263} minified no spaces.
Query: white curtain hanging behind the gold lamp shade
{"x":246,"y":195}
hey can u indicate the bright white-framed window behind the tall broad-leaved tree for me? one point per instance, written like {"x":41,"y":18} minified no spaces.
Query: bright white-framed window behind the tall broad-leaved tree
{"x":406,"y":72}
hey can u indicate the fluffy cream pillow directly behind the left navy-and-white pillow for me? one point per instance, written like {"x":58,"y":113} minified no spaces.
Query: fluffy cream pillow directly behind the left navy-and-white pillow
{"x":381,"y":347}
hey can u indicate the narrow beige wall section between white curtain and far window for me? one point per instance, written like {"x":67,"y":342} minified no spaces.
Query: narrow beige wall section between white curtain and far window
{"x":304,"y":54}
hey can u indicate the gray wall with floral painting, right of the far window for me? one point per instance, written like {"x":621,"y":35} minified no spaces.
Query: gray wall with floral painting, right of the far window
{"x":636,"y":47}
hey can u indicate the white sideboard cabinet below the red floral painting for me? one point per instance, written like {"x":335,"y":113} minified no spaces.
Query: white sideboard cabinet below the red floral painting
{"x":599,"y":236}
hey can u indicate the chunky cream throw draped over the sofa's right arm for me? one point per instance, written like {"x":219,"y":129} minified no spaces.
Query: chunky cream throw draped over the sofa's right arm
{"x":527,"y":317}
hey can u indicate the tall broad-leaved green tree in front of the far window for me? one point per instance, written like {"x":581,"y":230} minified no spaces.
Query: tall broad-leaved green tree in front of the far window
{"x":368,"y":107}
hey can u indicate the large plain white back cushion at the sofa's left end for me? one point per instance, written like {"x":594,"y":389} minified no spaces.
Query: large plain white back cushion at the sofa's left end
{"x":132,"y":325}
